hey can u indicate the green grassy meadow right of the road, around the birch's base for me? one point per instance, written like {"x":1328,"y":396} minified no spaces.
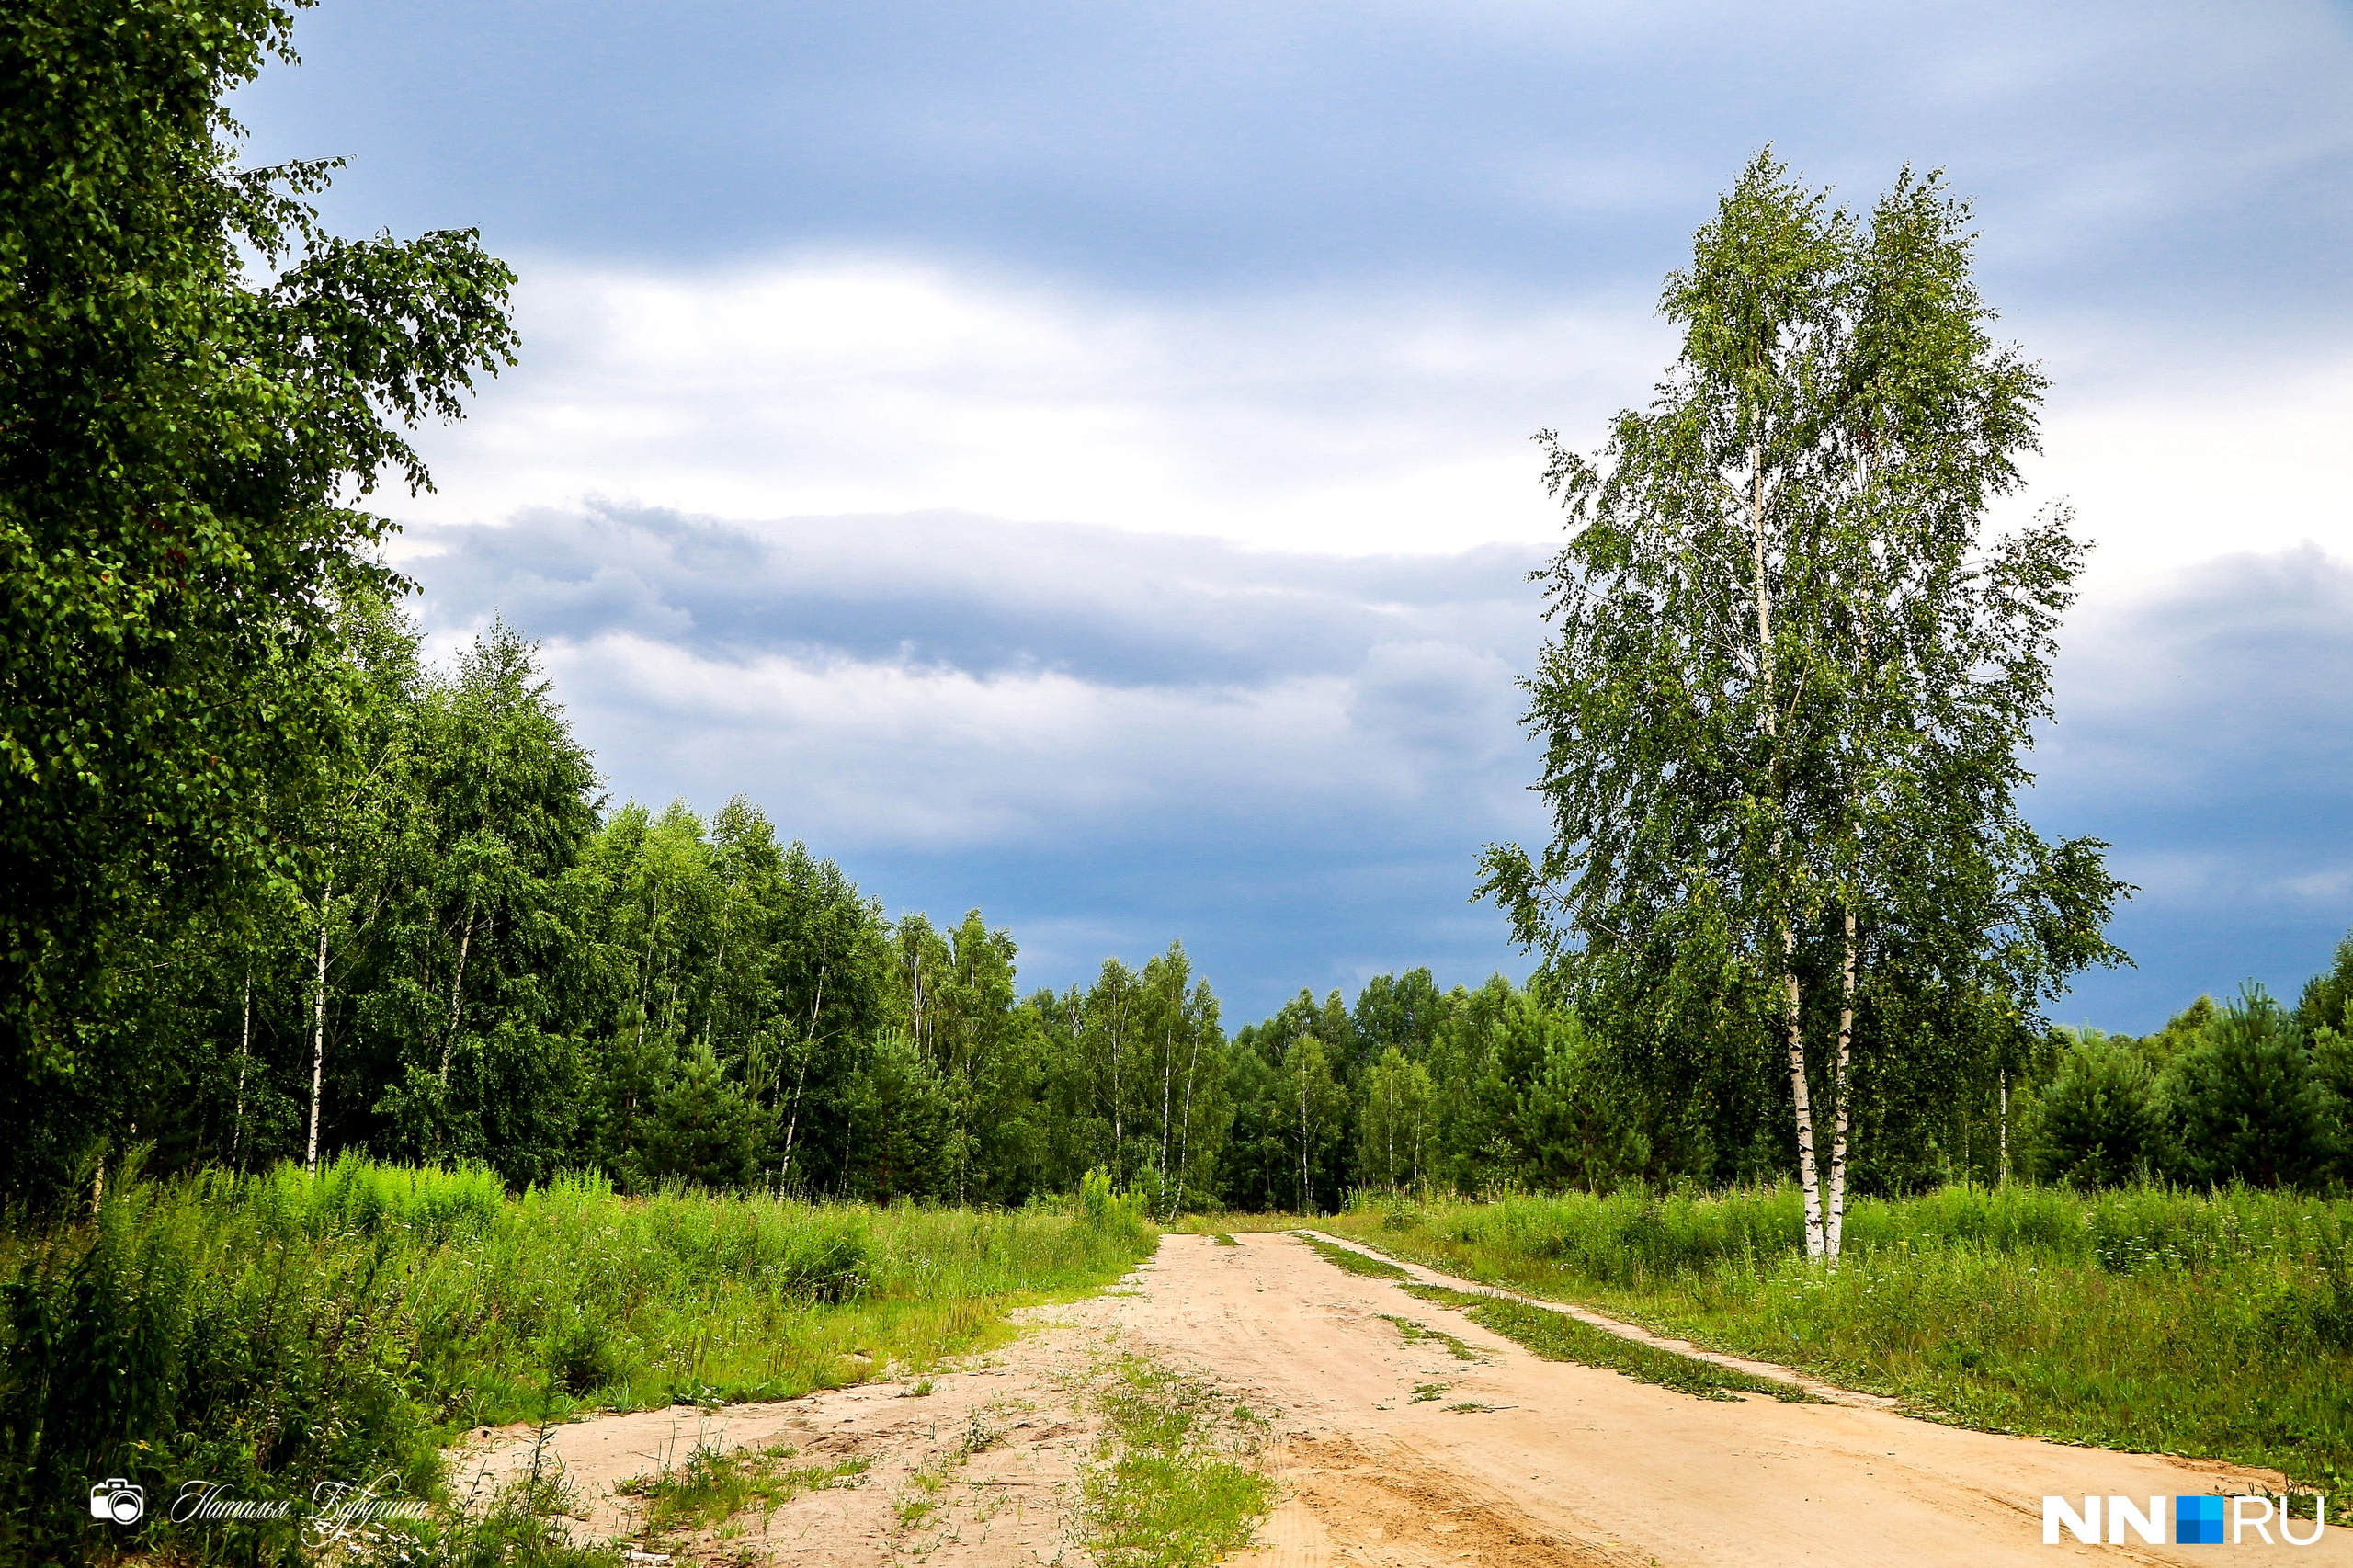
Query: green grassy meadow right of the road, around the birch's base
{"x":2145,"y":1320}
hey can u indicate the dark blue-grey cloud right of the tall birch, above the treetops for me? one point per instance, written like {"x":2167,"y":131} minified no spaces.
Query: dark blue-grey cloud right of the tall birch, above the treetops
{"x":2206,"y":729}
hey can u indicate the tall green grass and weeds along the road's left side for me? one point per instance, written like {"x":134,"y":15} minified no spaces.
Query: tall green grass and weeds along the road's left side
{"x":276,"y":1331}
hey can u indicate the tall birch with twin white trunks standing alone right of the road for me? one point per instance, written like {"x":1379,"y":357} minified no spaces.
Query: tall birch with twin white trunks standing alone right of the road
{"x":1792,"y":677}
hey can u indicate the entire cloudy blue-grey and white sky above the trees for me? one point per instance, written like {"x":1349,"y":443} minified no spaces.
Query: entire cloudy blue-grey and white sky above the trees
{"x":1074,"y":458}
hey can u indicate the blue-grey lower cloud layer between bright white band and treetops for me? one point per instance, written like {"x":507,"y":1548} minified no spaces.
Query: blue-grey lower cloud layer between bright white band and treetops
{"x":1291,"y":762}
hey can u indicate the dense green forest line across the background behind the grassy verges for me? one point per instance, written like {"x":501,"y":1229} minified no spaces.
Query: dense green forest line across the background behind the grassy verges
{"x":476,"y":959}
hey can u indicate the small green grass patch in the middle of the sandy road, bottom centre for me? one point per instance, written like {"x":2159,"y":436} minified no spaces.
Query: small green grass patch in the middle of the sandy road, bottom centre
{"x":1175,"y":1482}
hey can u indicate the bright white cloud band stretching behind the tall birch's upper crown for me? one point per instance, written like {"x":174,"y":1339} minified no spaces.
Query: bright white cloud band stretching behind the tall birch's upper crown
{"x":1333,"y":423}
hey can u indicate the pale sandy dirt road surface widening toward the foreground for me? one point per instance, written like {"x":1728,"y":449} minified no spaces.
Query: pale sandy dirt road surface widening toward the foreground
{"x":1392,"y":1449}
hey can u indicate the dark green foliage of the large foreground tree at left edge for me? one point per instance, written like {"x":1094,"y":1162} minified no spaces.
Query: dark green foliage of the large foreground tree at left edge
{"x":199,"y":387}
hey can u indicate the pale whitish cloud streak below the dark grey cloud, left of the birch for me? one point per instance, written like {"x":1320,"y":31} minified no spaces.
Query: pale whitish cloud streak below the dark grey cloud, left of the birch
{"x":888,"y":755}
